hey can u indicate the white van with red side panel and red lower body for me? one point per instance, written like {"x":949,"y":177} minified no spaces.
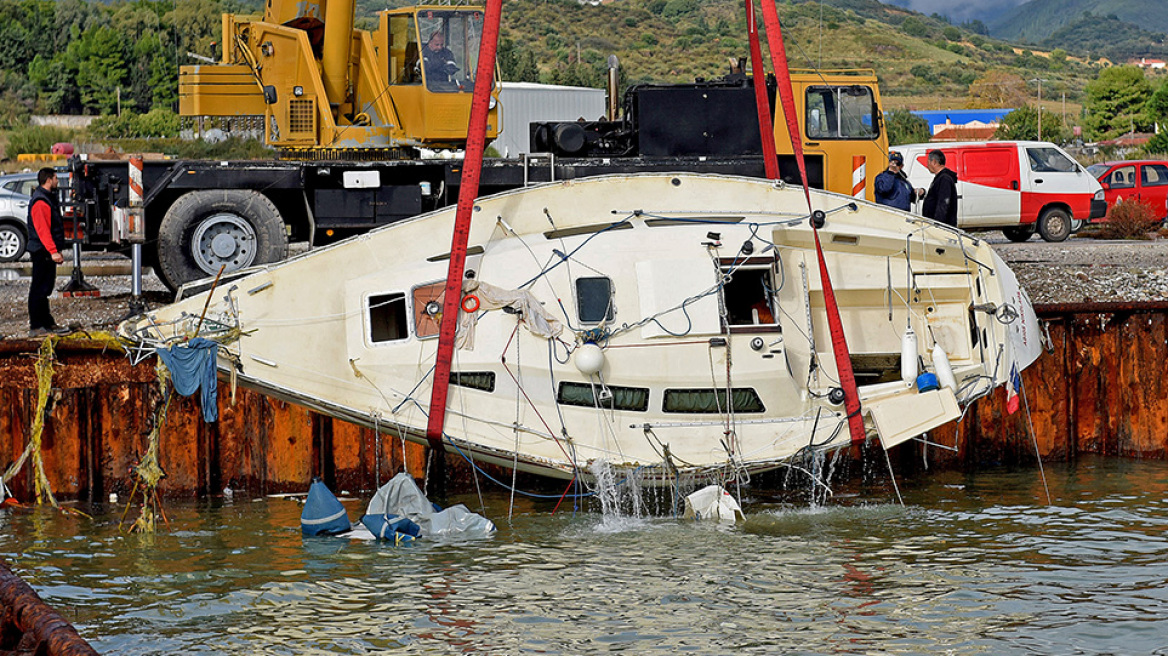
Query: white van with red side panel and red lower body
{"x":1020,"y":187}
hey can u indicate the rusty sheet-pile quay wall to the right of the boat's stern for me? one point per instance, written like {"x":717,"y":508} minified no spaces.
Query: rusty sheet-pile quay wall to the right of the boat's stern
{"x":1102,"y":389}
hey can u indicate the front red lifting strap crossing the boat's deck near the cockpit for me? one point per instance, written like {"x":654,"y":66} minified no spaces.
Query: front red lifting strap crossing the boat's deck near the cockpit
{"x":836,"y":326}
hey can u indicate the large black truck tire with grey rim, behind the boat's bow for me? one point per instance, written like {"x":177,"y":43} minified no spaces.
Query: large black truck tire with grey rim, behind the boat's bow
{"x":207,"y":231}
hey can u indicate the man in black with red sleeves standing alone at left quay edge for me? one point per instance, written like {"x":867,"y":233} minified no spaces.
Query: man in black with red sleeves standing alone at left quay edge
{"x":46,"y":241}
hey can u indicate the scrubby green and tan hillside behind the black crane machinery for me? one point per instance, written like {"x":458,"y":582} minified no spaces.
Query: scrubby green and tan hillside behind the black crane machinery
{"x":916,"y":57}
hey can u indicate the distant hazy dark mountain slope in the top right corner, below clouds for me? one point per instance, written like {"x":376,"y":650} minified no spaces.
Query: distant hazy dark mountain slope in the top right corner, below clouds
{"x":1039,"y":19}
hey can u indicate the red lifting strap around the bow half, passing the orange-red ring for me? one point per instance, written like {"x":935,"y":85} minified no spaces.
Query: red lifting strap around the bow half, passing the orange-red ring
{"x":468,"y":193}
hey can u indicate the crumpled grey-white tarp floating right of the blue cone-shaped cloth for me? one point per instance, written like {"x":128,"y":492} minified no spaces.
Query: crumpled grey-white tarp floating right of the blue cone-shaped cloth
{"x":402,"y":497}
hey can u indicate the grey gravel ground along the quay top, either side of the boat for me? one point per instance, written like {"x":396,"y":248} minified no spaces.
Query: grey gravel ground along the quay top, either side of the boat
{"x":1080,"y":270}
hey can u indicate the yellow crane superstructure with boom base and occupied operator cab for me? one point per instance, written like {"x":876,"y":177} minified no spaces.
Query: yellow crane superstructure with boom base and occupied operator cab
{"x":325,"y":90}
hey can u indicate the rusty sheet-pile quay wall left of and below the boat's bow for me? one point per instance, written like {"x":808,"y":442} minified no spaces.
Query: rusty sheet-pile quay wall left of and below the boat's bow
{"x":101,"y":413}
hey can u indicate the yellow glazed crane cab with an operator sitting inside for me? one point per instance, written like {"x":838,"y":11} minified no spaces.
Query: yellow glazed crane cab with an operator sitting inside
{"x":430,"y":55}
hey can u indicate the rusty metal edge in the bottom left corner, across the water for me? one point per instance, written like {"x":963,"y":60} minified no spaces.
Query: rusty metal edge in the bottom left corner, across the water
{"x":30,"y":626}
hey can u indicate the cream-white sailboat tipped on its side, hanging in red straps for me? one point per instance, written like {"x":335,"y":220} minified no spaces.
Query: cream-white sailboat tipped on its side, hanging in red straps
{"x":670,"y":324}
